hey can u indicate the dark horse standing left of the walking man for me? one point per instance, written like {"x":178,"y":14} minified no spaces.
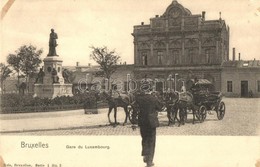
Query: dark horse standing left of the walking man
{"x":122,"y":100}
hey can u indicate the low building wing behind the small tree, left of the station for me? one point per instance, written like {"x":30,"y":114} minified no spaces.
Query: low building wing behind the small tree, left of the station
{"x":90,"y":77}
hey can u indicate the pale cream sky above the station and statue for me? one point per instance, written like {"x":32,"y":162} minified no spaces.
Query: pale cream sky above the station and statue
{"x":84,"y":23}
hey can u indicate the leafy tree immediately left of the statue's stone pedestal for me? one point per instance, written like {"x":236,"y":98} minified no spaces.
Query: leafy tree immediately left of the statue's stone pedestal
{"x":25,"y":61}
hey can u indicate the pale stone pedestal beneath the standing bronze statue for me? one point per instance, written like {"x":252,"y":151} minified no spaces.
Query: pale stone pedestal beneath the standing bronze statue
{"x":50,"y":88}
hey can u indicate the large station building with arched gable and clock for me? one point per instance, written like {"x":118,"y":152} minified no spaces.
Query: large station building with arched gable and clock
{"x":180,"y":44}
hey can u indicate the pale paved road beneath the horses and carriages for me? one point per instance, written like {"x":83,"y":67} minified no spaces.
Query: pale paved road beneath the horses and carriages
{"x":241,"y":119}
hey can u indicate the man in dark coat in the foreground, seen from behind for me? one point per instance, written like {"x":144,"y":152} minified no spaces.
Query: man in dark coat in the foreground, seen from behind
{"x":148,"y":122}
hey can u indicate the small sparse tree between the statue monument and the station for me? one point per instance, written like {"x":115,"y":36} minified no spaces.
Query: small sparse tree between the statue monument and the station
{"x":106,"y":59}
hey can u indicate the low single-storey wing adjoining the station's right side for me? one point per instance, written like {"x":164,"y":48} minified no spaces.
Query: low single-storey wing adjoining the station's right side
{"x":241,"y":78}
